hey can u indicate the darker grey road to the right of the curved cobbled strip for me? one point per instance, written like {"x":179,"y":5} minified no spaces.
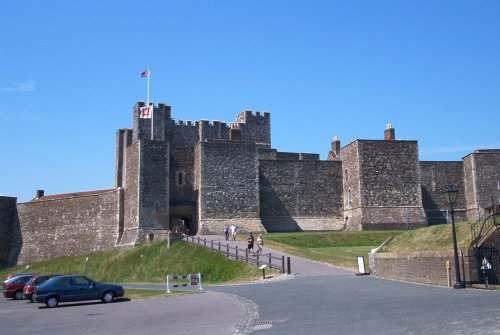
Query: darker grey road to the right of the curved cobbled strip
{"x":366,"y":305}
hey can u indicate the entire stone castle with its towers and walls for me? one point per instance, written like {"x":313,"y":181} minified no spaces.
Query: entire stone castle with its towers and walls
{"x":203,"y":175}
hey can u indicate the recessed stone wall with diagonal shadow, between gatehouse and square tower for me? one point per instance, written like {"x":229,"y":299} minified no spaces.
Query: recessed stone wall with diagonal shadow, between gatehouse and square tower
{"x":282,"y":186}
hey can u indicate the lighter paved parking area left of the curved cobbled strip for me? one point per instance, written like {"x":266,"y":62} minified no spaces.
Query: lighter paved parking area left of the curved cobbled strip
{"x":208,"y":313}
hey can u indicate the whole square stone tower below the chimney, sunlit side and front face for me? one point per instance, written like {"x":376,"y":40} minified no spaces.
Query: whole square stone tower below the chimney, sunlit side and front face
{"x":382,"y":185}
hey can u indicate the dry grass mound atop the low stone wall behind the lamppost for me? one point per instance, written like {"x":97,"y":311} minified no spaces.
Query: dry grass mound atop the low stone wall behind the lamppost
{"x":433,"y":238}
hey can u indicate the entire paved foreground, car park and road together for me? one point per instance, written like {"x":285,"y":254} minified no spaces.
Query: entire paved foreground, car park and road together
{"x":312,"y":302}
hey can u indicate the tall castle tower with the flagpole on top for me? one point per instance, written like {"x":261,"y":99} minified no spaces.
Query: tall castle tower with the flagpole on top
{"x":142,"y":170}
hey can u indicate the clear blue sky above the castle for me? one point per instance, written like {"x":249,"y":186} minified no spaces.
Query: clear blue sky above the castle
{"x":70,"y":75}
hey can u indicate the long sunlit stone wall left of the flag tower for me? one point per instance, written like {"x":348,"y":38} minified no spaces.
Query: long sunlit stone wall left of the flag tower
{"x":68,"y":226}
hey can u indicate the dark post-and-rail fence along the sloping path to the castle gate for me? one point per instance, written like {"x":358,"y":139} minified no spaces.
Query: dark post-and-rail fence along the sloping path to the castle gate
{"x":243,"y":254}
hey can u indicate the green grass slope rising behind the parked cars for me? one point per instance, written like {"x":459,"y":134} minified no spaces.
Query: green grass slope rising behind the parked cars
{"x":148,"y":263}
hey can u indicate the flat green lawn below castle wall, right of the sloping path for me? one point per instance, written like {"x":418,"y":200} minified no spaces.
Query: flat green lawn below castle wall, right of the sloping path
{"x":338,"y":248}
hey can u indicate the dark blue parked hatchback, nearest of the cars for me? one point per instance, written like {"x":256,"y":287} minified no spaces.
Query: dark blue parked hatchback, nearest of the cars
{"x":75,"y":288}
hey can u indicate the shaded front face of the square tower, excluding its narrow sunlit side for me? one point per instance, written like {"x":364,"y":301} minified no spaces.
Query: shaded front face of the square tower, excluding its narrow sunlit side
{"x":390,"y":185}
